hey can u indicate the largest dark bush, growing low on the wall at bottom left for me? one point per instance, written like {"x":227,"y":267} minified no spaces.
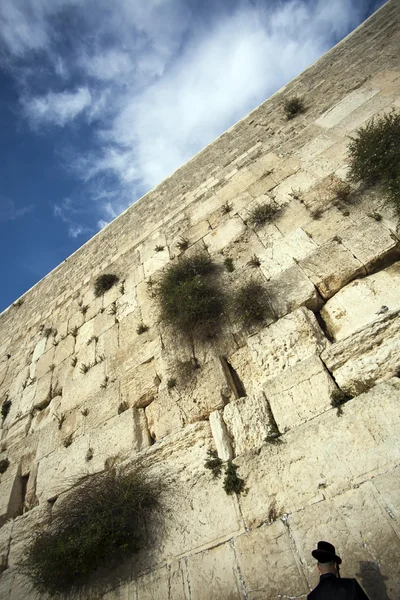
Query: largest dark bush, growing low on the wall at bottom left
{"x":103,"y":521}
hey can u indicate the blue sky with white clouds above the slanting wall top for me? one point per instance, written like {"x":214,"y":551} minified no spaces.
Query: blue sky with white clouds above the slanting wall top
{"x":100,"y":101}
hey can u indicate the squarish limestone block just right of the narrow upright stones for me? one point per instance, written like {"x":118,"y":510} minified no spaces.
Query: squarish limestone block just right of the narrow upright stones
{"x":300,"y":393}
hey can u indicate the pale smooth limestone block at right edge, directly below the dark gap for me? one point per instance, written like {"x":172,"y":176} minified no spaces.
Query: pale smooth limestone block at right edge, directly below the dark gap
{"x":362,"y":302}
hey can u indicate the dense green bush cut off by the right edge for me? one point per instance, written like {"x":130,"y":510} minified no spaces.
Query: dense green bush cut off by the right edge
{"x":374,"y":155}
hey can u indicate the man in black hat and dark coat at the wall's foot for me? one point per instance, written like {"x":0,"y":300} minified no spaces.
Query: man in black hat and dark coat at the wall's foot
{"x":331,"y":586}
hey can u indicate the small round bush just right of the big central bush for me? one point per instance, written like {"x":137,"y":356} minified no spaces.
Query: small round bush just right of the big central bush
{"x":250,"y":304}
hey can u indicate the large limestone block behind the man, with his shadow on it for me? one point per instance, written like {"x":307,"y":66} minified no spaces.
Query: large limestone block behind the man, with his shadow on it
{"x":362,"y":534}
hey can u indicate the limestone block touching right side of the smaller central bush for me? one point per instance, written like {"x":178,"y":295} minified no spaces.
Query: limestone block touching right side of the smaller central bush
{"x":290,"y":290}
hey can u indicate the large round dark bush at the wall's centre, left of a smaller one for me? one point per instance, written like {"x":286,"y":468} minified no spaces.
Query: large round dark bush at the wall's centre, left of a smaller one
{"x":190,"y":298}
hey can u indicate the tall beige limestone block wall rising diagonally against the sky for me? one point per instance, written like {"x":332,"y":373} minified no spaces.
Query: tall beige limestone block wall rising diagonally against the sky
{"x":332,"y":271}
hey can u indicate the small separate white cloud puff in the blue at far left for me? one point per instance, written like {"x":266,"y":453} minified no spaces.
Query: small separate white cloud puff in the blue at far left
{"x":57,"y":108}
